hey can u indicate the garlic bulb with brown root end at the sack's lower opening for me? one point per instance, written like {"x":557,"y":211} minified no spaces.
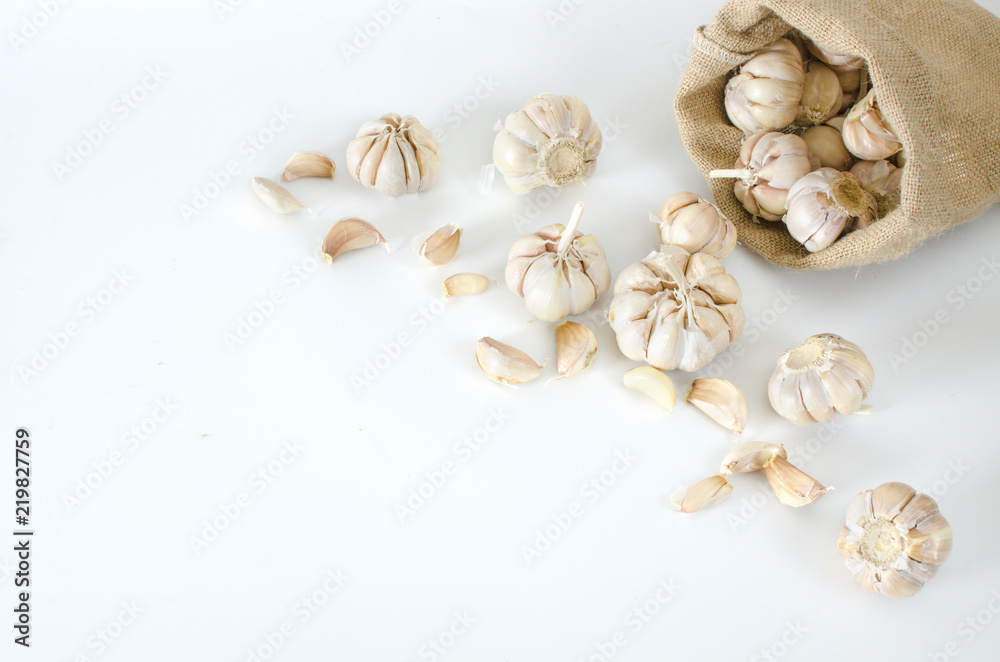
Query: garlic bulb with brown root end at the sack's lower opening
{"x":824,"y":204}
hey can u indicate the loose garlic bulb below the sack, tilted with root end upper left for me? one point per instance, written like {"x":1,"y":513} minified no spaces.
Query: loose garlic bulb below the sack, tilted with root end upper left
{"x":823,"y":376}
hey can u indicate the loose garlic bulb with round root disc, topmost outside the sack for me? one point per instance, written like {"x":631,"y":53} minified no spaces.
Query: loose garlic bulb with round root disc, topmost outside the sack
{"x":552,"y":141}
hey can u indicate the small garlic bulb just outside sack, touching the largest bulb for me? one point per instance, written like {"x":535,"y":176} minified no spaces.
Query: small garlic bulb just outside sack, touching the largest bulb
{"x":695,"y":225}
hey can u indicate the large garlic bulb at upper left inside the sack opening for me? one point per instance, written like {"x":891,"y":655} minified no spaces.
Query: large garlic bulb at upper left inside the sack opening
{"x":765,"y":94}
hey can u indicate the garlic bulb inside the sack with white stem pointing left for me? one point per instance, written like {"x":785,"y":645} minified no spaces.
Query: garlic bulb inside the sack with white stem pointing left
{"x":769,"y":163}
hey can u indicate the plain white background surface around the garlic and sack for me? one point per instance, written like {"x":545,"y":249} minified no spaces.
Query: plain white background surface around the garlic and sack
{"x":752,"y":576}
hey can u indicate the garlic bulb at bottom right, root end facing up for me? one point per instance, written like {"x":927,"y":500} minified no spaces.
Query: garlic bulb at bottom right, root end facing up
{"x":895,"y":540}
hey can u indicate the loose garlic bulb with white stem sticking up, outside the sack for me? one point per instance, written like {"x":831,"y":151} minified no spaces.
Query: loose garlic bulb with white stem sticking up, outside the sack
{"x":558,"y":270}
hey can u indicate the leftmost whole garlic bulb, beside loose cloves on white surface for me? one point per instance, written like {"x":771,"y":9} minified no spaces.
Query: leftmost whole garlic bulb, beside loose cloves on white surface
{"x":394,"y":155}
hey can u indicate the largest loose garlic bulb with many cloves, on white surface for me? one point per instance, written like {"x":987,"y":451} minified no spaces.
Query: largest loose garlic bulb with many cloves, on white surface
{"x":676,"y":310}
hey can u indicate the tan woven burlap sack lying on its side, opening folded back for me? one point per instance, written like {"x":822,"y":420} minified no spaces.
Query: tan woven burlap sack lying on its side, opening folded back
{"x":935,"y":67}
